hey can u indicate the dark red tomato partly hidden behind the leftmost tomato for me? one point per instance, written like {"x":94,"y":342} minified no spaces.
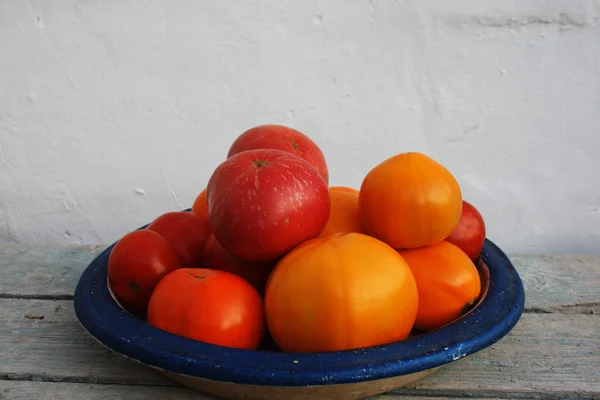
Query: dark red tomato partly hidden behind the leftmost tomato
{"x":186,"y":232}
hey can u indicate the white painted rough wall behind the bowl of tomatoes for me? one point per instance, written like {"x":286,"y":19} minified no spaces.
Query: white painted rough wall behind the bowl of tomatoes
{"x":101,"y":98}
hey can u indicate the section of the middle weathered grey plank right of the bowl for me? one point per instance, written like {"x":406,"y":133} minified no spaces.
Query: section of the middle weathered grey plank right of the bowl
{"x":544,"y":353}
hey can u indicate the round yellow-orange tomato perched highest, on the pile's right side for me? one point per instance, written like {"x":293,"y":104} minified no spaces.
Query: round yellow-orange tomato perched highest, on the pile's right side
{"x":409,"y":201}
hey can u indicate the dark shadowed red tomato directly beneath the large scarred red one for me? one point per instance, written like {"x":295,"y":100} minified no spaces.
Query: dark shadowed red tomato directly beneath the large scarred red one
{"x":217,"y":257}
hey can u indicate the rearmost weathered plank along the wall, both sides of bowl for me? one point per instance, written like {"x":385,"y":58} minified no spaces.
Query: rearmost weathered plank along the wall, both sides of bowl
{"x":563,"y":283}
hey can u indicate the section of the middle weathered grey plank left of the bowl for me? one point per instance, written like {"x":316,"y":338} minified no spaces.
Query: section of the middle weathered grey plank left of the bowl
{"x":57,"y":348}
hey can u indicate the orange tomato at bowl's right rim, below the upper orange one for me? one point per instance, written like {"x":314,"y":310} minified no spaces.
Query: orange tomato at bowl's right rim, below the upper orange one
{"x":447,"y":280}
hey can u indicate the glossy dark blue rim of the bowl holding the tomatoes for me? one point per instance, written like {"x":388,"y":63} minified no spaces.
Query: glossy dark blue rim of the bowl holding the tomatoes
{"x":488,"y":322}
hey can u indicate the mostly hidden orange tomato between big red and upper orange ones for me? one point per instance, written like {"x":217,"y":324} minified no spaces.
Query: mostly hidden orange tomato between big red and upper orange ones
{"x":343,"y":216}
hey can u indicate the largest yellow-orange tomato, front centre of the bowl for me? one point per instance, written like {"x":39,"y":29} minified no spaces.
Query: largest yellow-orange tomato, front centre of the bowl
{"x":340,"y":292}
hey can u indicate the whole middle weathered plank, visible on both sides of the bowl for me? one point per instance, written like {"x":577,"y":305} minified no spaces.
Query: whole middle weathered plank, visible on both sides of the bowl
{"x":544,"y":353}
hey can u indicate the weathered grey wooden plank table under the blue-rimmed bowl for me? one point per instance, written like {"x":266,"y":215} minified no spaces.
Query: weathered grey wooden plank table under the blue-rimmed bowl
{"x":552,"y":353}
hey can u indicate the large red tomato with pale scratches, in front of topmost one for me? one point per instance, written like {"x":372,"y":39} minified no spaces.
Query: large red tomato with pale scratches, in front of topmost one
{"x":262,"y":203}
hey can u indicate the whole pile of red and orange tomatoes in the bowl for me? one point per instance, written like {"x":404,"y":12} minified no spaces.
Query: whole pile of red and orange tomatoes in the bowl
{"x":271,"y":255}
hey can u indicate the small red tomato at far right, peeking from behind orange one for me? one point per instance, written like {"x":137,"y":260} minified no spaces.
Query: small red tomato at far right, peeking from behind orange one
{"x":469,"y":235}
